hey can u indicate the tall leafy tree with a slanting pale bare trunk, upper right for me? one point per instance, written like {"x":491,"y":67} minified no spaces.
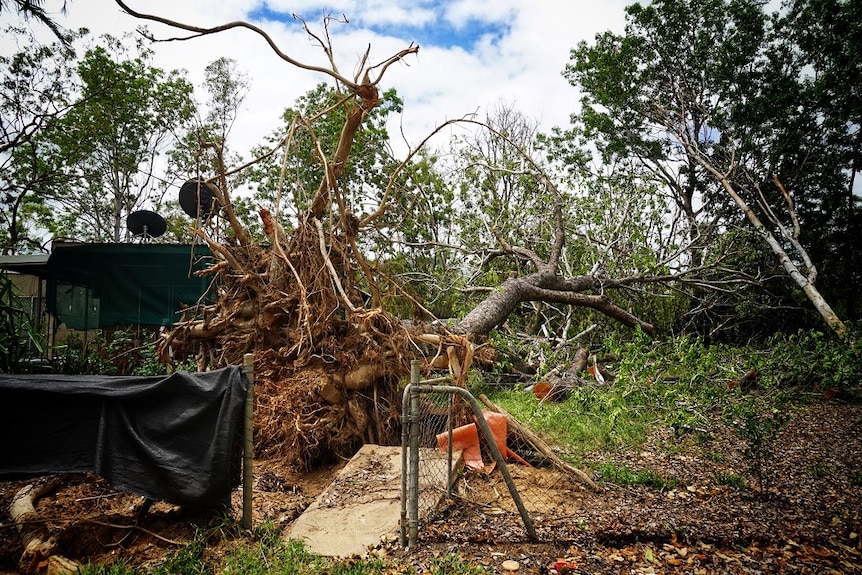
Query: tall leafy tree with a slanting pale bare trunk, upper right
{"x":672,"y":103}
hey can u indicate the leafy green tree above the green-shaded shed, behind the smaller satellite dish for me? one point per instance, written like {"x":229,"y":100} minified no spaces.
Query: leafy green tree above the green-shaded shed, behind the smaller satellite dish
{"x":129,"y":113}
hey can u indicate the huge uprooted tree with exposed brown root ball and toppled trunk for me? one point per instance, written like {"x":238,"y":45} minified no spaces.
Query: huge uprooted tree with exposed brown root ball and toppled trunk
{"x":329,"y":359}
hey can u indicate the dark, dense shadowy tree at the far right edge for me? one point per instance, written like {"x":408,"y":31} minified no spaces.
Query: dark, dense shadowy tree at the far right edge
{"x":818,"y":41}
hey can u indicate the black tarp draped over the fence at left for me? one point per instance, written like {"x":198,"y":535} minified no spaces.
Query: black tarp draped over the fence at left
{"x":173,"y":438}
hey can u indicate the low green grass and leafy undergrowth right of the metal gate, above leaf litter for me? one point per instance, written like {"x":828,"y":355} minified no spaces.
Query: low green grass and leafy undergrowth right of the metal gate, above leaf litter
{"x":684,"y":382}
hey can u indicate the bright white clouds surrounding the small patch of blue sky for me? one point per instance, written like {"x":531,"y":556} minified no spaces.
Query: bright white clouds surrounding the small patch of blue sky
{"x":523,"y":67}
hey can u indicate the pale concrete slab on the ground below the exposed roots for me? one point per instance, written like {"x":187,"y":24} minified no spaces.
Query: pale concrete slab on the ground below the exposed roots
{"x":363,"y":502}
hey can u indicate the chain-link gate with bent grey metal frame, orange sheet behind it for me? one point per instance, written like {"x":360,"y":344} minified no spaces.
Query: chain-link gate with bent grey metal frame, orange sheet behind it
{"x":473,"y":473}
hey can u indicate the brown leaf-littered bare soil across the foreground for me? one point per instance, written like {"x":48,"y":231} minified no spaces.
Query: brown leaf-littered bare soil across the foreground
{"x":808,"y":519}
